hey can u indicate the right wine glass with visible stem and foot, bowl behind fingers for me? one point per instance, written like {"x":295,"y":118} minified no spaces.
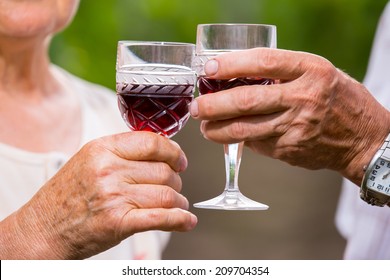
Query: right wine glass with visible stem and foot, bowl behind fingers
{"x":211,"y":40}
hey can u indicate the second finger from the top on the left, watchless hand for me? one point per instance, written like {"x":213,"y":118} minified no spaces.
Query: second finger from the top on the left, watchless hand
{"x":147,"y":172}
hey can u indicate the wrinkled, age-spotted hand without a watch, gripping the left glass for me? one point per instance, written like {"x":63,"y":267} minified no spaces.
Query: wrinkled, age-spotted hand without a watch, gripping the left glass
{"x":112,"y":188}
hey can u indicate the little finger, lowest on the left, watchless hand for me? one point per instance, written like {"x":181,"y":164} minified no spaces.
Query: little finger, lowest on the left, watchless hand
{"x":175,"y":219}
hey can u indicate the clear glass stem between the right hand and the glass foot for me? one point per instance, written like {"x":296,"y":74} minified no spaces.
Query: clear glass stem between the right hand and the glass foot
{"x":233,"y":154}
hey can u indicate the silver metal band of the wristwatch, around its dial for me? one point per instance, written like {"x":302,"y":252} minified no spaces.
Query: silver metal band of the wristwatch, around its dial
{"x":368,"y":195}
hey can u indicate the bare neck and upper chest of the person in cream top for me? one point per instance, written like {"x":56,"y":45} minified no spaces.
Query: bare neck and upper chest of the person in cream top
{"x":34,"y":102}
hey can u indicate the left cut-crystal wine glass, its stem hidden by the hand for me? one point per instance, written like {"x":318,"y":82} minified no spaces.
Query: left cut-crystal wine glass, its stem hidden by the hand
{"x":155,"y":85}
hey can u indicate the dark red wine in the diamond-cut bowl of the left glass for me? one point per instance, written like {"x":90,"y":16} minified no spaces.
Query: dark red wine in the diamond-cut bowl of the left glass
{"x":163,"y":109}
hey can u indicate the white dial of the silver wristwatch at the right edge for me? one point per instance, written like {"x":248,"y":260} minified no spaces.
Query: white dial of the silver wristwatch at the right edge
{"x":379,"y":177}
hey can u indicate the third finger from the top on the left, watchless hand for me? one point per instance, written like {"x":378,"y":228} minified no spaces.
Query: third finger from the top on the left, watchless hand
{"x":153,"y":196}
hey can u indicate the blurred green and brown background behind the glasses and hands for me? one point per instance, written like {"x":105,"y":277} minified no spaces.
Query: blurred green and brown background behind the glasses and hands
{"x":300,"y":222}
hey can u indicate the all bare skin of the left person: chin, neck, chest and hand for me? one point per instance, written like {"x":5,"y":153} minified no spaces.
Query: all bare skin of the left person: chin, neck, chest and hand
{"x":111,"y":188}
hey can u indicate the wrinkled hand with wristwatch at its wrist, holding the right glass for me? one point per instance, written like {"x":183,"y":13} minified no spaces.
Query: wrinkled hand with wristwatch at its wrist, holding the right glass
{"x":314,"y":116}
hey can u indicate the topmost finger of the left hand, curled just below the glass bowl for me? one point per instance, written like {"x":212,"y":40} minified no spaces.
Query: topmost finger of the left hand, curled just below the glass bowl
{"x":147,"y":146}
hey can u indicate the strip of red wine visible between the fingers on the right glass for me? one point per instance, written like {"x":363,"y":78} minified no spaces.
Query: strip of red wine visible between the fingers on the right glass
{"x":206,"y":85}
